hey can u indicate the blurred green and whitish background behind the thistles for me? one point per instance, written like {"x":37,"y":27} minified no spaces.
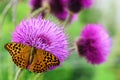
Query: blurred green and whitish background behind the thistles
{"x":106,"y":12}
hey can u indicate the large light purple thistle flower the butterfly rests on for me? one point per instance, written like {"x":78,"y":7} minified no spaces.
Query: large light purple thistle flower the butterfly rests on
{"x":42,"y":34}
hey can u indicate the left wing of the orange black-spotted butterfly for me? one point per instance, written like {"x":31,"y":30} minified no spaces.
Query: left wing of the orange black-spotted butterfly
{"x":20,"y":53}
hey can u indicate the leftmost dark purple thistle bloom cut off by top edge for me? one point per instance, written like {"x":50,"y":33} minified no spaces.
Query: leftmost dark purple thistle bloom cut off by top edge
{"x":36,"y":4}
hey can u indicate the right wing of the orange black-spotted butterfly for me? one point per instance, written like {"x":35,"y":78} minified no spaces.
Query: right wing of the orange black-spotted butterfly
{"x":43,"y":60}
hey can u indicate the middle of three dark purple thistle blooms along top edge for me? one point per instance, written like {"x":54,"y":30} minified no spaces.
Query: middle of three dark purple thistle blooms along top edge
{"x":58,"y":8}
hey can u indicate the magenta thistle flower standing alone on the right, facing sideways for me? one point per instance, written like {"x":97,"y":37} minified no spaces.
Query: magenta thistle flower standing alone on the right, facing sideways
{"x":94,"y":43}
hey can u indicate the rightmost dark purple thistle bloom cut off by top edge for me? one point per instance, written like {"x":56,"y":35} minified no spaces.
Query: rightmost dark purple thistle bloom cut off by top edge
{"x":76,"y":5}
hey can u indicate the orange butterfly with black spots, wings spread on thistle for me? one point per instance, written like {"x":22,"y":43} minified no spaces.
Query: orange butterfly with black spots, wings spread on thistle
{"x":31,"y":58}
